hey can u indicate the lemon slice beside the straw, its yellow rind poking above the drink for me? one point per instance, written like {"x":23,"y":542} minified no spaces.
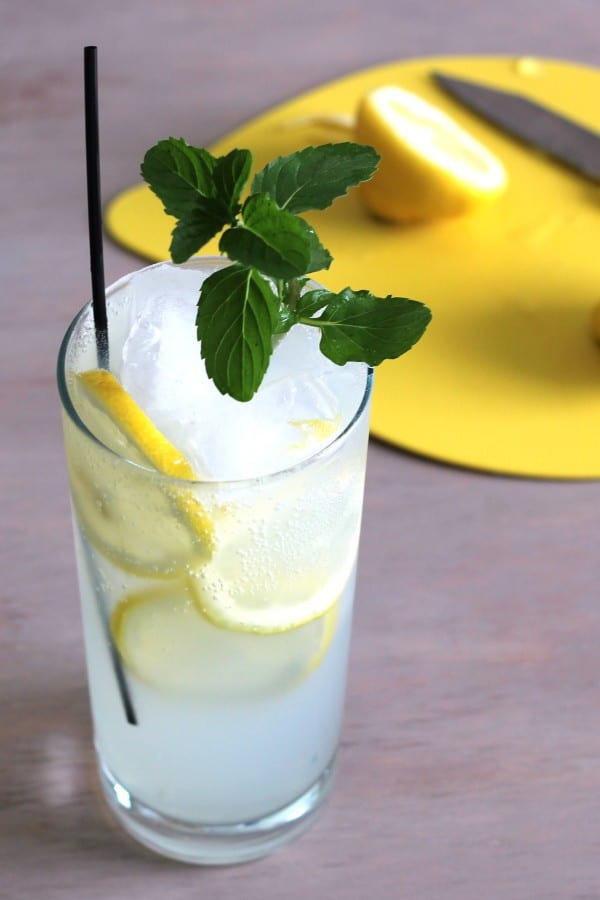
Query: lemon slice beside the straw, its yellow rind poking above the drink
{"x":142,"y":524}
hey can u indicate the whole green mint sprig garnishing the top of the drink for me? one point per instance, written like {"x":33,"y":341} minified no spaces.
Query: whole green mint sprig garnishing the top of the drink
{"x":273,"y":250}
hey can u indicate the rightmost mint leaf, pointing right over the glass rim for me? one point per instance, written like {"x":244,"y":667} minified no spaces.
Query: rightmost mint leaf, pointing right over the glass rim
{"x":357,"y":326}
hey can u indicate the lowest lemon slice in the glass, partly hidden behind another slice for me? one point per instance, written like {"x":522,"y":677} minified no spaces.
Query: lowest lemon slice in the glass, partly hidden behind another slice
{"x":166,"y":642}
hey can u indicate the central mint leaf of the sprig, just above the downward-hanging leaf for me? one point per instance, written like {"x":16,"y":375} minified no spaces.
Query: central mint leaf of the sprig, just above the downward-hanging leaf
{"x":277,"y":243}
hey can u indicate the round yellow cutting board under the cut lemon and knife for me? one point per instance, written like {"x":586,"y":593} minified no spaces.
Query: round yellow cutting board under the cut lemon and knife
{"x":507,"y":378}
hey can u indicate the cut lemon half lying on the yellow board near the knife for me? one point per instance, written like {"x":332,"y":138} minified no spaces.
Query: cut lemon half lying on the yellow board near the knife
{"x":430,"y":166}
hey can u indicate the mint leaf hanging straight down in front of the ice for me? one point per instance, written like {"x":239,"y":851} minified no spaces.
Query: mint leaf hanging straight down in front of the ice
{"x":236,"y":318}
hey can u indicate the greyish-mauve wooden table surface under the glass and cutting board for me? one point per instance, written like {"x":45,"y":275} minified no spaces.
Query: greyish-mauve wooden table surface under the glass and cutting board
{"x":470,"y":763}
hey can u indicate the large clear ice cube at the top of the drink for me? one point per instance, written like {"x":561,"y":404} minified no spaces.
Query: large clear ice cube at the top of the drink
{"x":303,"y":400}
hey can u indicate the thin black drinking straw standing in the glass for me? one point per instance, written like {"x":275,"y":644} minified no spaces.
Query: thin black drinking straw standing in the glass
{"x":92,"y":155}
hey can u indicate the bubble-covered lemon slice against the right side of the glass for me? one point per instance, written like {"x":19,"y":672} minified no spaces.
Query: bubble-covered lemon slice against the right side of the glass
{"x":287,"y":554}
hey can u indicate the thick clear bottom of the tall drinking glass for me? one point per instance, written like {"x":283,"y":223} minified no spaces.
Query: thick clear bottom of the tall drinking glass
{"x":215,"y":845}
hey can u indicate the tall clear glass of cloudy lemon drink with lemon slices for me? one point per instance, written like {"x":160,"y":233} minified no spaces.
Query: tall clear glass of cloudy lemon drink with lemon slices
{"x":216,"y":611}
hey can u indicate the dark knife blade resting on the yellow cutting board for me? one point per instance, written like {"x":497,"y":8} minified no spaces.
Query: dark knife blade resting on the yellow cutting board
{"x":532,"y":123}
